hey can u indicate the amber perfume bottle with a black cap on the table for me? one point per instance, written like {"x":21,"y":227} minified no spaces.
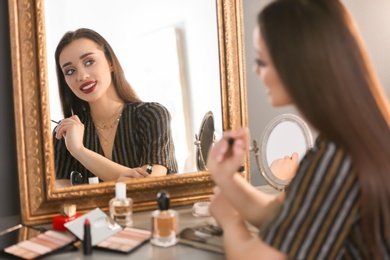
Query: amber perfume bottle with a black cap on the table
{"x":165,"y":229}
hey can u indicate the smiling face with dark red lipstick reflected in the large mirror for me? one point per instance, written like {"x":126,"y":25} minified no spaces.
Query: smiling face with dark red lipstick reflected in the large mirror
{"x":86,"y":70}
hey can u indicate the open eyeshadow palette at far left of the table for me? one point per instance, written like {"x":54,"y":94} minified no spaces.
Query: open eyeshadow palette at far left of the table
{"x":29,"y":243}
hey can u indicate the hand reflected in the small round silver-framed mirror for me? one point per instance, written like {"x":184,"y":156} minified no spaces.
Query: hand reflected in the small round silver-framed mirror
{"x":285,"y":168}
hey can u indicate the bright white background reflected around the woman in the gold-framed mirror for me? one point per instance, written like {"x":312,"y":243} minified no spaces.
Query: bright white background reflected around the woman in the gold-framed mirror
{"x":169,"y":55}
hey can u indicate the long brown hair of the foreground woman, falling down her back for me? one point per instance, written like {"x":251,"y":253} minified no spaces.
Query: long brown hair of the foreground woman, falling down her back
{"x":319,"y":56}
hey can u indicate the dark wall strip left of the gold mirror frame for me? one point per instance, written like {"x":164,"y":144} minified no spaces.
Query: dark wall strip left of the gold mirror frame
{"x":9,"y":195}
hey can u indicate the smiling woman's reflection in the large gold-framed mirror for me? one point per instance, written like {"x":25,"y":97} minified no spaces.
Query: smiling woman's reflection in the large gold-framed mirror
{"x":108,"y":131}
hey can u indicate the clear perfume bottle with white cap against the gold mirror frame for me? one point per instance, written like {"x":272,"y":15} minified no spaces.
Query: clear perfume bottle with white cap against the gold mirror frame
{"x":121,"y":208}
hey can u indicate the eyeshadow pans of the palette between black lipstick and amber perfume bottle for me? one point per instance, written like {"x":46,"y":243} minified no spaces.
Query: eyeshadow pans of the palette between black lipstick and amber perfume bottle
{"x":125,"y":241}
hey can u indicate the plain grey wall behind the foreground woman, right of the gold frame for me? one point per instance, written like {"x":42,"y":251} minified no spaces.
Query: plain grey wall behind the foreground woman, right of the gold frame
{"x":373,"y":20}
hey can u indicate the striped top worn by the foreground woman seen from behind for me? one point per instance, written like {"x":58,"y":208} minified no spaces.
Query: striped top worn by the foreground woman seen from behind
{"x":320,"y":218}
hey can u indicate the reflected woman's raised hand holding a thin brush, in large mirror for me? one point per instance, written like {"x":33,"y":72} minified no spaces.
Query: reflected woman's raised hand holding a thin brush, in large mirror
{"x":73,"y":131}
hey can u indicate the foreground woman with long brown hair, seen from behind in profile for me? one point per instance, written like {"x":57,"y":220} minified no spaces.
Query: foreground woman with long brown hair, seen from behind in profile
{"x":337,"y":206}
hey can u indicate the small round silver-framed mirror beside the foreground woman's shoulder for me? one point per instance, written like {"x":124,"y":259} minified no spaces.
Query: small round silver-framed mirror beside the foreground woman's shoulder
{"x":284,"y":135}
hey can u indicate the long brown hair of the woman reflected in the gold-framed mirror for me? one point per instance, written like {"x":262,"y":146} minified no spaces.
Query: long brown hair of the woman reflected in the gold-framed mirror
{"x":70,"y":103}
